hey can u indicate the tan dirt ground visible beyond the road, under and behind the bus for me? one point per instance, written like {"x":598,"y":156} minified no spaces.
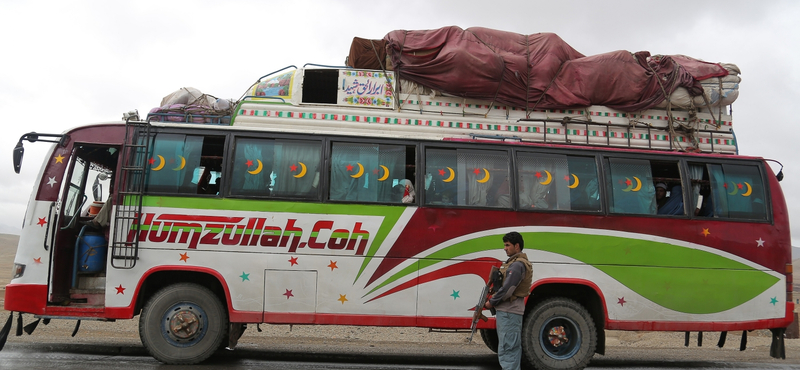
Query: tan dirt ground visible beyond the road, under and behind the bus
{"x":397,"y":340}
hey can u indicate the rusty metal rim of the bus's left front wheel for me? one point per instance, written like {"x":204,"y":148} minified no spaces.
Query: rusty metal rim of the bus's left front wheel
{"x":184,"y":324}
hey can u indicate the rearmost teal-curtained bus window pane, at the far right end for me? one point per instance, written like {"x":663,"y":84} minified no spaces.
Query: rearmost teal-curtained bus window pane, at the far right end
{"x":737,"y":192}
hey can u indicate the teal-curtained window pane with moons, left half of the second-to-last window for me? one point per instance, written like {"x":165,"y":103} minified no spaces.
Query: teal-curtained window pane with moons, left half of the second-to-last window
{"x":630,"y":185}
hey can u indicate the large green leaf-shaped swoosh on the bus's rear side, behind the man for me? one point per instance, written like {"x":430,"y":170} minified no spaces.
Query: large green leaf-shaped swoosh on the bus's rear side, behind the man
{"x":678,"y":278}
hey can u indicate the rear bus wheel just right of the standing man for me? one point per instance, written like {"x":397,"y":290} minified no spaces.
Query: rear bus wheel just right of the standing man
{"x":541,"y":347}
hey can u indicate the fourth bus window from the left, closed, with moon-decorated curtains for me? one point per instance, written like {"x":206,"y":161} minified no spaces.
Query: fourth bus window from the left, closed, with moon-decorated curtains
{"x":467,"y":178}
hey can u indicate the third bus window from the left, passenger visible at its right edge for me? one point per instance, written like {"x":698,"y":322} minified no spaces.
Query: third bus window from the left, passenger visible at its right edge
{"x":372,"y":173}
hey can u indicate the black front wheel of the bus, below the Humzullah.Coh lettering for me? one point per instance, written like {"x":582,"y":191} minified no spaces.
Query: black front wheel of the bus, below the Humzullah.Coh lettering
{"x":188,"y":306}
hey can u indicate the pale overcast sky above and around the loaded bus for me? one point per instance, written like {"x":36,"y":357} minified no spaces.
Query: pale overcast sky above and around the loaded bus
{"x":68,"y":63}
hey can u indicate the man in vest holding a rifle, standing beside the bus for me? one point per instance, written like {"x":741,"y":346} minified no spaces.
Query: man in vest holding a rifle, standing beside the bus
{"x":509,"y":301}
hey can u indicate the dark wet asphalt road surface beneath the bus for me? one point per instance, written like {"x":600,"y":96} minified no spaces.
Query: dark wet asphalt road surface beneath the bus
{"x":103,"y":356}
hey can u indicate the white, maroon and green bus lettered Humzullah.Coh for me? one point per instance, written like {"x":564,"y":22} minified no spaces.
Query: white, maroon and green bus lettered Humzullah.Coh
{"x":335,"y":196}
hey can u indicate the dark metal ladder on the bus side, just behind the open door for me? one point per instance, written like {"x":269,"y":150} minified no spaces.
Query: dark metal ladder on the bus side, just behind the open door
{"x":127,"y":217}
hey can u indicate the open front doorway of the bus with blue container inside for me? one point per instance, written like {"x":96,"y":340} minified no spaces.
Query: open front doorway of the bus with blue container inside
{"x":79,"y":254}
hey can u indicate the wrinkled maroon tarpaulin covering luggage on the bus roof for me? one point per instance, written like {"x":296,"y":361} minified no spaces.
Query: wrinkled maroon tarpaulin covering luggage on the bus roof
{"x":539,"y":70}
